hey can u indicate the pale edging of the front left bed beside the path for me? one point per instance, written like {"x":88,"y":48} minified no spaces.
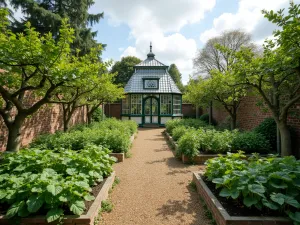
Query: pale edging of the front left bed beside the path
{"x":87,"y":219}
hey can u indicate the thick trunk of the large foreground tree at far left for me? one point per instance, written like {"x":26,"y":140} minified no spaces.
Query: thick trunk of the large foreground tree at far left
{"x":14,"y":134}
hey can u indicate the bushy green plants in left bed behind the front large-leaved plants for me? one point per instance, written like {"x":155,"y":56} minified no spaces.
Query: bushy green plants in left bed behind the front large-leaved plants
{"x":109,"y":133}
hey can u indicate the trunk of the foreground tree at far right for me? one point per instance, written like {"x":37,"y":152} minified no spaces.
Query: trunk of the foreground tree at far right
{"x":285,"y":139}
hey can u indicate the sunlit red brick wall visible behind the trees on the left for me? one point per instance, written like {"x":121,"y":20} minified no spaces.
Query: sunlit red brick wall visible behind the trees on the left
{"x":47,"y":120}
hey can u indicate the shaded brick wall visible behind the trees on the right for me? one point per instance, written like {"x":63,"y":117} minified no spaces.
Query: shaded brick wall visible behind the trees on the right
{"x":250,"y":115}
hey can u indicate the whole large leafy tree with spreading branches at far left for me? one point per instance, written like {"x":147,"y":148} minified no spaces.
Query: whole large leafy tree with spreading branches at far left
{"x":35,"y":68}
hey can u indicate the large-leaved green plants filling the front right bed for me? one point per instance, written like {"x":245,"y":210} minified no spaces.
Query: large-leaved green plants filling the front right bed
{"x":265,"y":183}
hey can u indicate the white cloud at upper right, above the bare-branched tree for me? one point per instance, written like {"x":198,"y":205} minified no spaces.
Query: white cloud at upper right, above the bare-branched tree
{"x":248,"y":18}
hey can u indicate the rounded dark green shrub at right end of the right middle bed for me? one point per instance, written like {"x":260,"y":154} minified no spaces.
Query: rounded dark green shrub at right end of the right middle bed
{"x":251,"y":142}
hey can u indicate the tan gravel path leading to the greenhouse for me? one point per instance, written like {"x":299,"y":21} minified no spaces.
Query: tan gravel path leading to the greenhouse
{"x":154,"y":187}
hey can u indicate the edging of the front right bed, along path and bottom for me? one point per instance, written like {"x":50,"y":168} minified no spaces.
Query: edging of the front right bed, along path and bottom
{"x":223,"y":218}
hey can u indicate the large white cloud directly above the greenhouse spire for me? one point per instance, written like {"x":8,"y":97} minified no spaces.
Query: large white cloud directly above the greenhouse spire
{"x":160,"y":22}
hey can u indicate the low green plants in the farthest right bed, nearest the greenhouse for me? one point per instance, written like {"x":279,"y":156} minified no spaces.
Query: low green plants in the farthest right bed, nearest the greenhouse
{"x":195,"y":123}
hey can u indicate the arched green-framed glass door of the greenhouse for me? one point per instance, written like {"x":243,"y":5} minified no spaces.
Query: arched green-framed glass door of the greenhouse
{"x":151,"y":110}
